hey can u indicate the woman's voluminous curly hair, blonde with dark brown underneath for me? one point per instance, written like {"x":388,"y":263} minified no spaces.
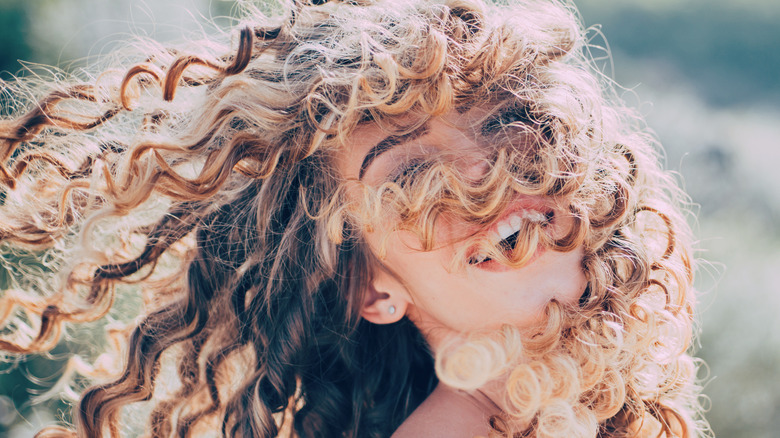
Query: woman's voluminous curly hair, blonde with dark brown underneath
{"x":206,"y":180}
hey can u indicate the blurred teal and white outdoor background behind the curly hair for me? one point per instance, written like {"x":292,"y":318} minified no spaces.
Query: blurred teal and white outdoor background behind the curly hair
{"x":706,"y":75}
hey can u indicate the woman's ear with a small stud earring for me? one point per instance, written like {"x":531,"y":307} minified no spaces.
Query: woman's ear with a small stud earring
{"x":386,"y":300}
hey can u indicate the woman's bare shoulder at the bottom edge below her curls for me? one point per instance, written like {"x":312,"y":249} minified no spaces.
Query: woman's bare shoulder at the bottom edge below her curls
{"x":445,"y":414}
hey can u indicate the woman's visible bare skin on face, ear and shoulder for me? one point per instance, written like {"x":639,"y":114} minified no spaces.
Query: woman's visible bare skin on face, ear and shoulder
{"x":440,"y":301}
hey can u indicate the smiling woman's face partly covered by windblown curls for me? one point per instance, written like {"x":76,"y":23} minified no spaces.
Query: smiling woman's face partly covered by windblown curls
{"x":438,"y":299}
